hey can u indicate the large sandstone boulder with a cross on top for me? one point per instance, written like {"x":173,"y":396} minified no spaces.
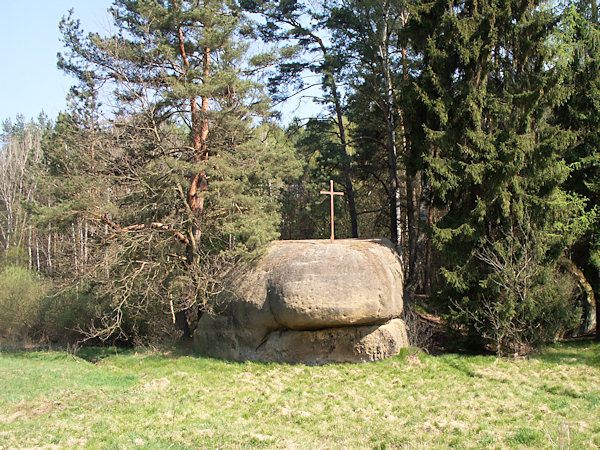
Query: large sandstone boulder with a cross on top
{"x":312,"y":302}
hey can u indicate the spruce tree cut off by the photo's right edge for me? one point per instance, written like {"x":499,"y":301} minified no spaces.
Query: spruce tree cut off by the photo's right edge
{"x":579,"y":38}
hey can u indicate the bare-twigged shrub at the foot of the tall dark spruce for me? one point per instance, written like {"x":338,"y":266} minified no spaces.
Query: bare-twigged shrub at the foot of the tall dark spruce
{"x":523,"y":302}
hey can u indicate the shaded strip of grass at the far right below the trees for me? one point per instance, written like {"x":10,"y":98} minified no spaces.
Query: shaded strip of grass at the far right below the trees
{"x":576,"y":352}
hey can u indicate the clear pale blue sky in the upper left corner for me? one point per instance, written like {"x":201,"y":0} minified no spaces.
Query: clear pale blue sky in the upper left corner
{"x":29,"y":41}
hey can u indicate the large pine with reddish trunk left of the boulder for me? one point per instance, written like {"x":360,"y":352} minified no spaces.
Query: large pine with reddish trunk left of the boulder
{"x":195,"y":179}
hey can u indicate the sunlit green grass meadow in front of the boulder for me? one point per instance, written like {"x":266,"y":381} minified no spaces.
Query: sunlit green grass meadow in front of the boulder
{"x":124,"y":399}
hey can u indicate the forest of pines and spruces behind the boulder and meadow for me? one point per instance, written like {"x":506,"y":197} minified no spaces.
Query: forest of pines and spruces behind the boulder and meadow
{"x":466,"y":132}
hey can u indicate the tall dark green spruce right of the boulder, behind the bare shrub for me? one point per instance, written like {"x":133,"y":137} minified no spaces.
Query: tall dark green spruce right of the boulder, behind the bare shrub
{"x":497,"y":162}
